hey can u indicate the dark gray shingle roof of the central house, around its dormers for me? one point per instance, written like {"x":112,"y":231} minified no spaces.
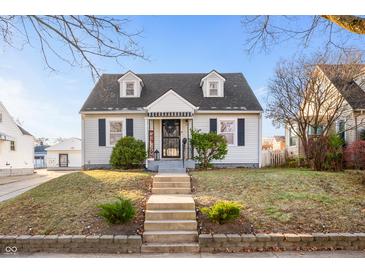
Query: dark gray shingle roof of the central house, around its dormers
{"x":237,"y":93}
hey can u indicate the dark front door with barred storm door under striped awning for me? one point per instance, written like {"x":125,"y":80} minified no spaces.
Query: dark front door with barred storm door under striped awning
{"x":171,"y":138}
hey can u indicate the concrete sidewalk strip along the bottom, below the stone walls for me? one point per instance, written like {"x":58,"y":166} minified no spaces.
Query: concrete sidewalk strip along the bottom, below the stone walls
{"x":287,"y":254}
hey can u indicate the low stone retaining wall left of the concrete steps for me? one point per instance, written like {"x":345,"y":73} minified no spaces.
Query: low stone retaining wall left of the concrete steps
{"x":71,"y":244}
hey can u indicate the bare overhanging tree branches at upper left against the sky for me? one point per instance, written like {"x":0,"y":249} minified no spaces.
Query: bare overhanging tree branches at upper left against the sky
{"x":76,"y":40}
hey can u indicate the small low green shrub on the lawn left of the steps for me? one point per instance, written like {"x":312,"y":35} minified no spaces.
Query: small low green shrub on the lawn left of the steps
{"x":118,"y":212}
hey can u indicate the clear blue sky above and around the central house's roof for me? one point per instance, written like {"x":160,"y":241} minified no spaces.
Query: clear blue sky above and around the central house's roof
{"x":47,"y":103}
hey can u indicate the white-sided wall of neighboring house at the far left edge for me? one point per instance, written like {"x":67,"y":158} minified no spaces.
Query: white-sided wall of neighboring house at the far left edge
{"x":23,"y":156}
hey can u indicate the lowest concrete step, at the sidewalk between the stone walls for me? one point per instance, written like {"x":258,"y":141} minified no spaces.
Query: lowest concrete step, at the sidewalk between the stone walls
{"x":170,"y":248}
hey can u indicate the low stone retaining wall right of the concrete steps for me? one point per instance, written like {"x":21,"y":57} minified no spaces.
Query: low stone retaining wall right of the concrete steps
{"x":280,"y":241}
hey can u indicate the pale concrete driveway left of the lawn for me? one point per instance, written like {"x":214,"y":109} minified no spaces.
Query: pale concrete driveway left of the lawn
{"x":12,"y":186}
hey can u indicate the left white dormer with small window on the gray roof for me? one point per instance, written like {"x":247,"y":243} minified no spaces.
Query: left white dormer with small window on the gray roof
{"x":130,"y":85}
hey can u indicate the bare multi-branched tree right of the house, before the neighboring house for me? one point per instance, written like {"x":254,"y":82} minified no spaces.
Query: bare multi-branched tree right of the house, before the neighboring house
{"x":302,"y":94}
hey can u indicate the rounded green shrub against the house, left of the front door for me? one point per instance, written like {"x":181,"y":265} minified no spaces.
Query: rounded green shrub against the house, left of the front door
{"x":128,"y":153}
